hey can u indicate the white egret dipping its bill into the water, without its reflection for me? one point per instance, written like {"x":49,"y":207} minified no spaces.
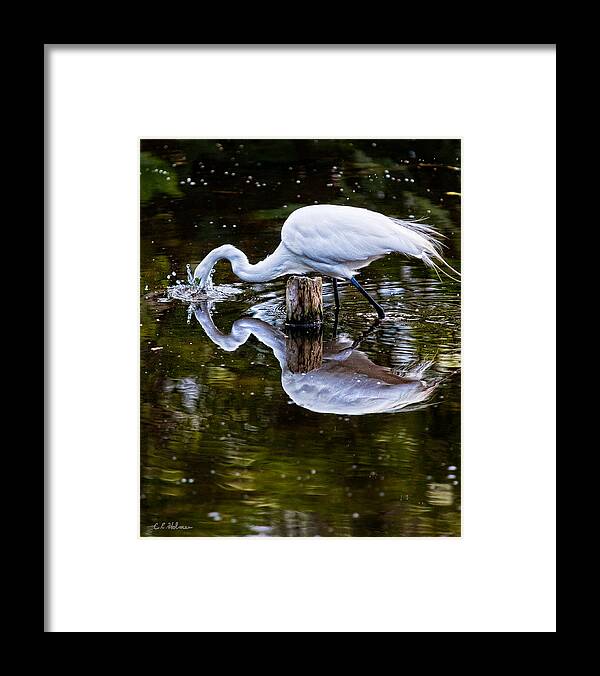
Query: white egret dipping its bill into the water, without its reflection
{"x":332,"y":240}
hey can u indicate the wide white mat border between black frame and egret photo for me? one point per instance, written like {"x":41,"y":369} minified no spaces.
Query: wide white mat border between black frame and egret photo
{"x":500,"y":575}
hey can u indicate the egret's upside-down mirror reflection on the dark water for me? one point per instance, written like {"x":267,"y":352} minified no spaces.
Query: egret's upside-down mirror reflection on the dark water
{"x":331,"y":377}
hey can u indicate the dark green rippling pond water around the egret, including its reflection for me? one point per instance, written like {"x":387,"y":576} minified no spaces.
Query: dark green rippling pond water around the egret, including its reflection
{"x":232,"y":442}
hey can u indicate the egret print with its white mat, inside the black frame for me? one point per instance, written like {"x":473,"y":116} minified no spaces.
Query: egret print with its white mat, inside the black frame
{"x":265,"y":409}
